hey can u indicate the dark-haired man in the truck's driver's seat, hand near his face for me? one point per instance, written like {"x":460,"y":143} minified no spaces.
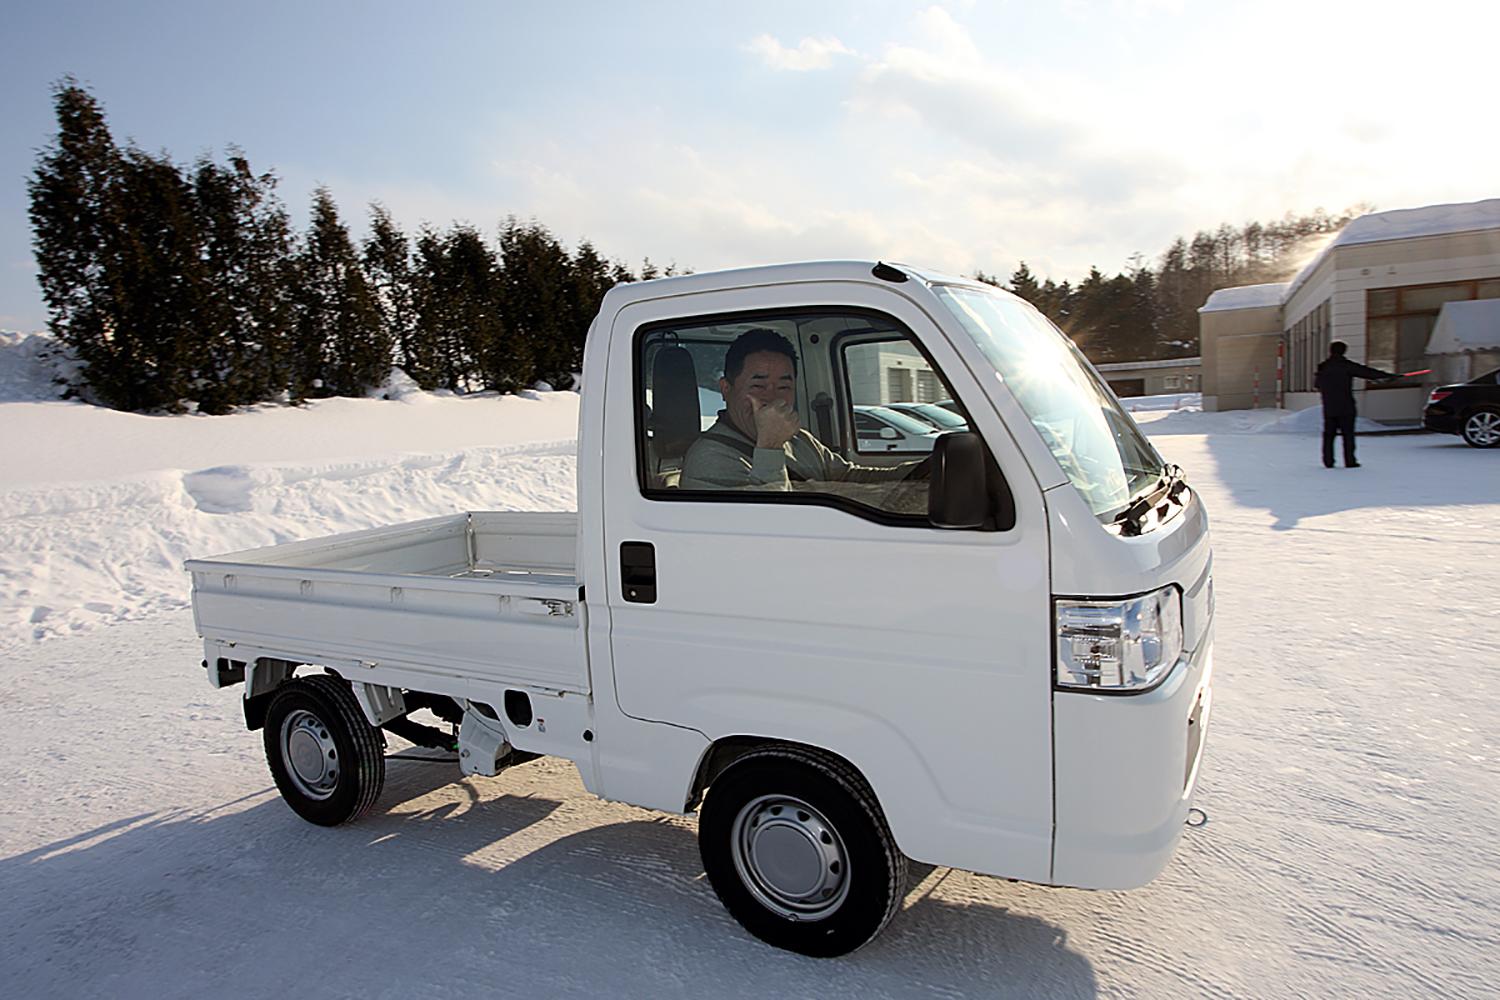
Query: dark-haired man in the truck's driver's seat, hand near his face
{"x":758,"y":442}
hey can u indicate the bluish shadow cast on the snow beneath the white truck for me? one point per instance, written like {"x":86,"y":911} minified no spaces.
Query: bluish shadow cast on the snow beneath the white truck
{"x":472,"y":896}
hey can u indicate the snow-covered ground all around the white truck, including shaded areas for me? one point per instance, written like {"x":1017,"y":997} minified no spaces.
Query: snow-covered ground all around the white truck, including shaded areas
{"x":1352,"y":782}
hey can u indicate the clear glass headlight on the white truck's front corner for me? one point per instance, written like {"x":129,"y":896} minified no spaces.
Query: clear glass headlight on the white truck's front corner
{"x":1118,"y":645}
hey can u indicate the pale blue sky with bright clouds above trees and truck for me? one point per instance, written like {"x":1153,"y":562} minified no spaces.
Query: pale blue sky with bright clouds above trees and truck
{"x":958,"y":137}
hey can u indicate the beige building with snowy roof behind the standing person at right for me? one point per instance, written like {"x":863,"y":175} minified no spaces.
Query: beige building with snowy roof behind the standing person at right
{"x":1381,"y":286}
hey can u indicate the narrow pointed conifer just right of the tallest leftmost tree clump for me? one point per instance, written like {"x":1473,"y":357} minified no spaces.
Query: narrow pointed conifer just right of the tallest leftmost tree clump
{"x":340,"y":346}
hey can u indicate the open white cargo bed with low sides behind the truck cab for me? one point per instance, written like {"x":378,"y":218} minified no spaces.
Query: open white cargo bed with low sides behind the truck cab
{"x":479,"y":596}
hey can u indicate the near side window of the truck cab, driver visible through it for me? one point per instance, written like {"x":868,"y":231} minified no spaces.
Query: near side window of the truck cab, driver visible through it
{"x":788,"y":407}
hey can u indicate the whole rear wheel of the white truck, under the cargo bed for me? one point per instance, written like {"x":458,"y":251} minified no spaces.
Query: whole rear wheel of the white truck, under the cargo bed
{"x":316,"y":723}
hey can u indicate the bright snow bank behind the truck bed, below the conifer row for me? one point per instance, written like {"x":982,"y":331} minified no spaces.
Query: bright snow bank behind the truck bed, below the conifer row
{"x":103,"y":507}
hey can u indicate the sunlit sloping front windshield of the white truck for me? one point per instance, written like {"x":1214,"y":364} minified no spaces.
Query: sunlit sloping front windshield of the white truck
{"x":1096,"y":442}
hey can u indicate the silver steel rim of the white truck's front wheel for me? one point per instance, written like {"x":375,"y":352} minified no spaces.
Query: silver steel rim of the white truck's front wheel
{"x":791,"y":858}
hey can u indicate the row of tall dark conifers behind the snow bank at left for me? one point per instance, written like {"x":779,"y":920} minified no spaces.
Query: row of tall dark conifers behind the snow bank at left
{"x":188,"y":286}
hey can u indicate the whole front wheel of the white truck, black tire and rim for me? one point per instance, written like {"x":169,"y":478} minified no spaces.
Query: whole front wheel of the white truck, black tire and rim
{"x":799,"y":852}
